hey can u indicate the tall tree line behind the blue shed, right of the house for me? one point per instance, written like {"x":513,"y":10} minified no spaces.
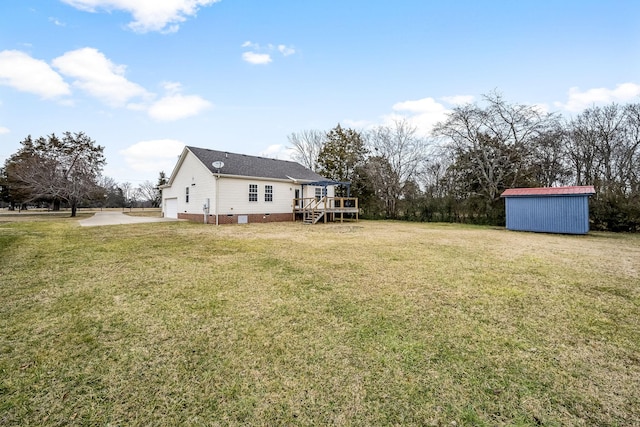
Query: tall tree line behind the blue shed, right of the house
{"x":459,"y":171}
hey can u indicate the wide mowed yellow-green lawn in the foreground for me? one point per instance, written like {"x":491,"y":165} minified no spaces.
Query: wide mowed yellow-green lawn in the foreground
{"x":357,"y":324}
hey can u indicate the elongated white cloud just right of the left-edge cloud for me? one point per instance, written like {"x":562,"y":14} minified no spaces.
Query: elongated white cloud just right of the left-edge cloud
{"x":98,"y":76}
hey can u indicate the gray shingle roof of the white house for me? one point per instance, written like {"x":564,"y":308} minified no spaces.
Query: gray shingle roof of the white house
{"x":253,"y":166}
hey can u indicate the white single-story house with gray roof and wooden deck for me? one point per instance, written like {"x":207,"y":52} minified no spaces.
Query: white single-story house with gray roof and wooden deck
{"x":219,"y":187}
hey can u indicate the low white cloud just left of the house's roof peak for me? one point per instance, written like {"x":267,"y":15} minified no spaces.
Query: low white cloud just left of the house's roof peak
{"x":153,"y":155}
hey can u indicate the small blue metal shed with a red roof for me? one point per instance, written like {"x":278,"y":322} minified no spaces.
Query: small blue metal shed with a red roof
{"x":548,"y":209}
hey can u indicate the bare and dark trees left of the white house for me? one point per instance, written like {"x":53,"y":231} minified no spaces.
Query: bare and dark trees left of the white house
{"x":66,"y":171}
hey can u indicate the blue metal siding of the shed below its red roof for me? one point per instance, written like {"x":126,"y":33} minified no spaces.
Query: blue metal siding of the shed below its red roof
{"x":548,"y":214}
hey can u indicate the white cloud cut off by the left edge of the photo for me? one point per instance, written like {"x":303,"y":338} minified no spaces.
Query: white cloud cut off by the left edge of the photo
{"x":26,"y":74}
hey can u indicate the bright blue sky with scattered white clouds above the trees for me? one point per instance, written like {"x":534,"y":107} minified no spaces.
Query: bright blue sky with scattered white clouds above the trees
{"x":144,"y":78}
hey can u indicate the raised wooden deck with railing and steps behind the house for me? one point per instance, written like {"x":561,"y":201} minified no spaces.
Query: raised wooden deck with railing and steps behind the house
{"x":313,"y":210}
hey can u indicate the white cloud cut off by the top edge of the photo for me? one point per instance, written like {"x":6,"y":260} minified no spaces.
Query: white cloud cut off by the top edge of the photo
{"x":148,"y":15}
